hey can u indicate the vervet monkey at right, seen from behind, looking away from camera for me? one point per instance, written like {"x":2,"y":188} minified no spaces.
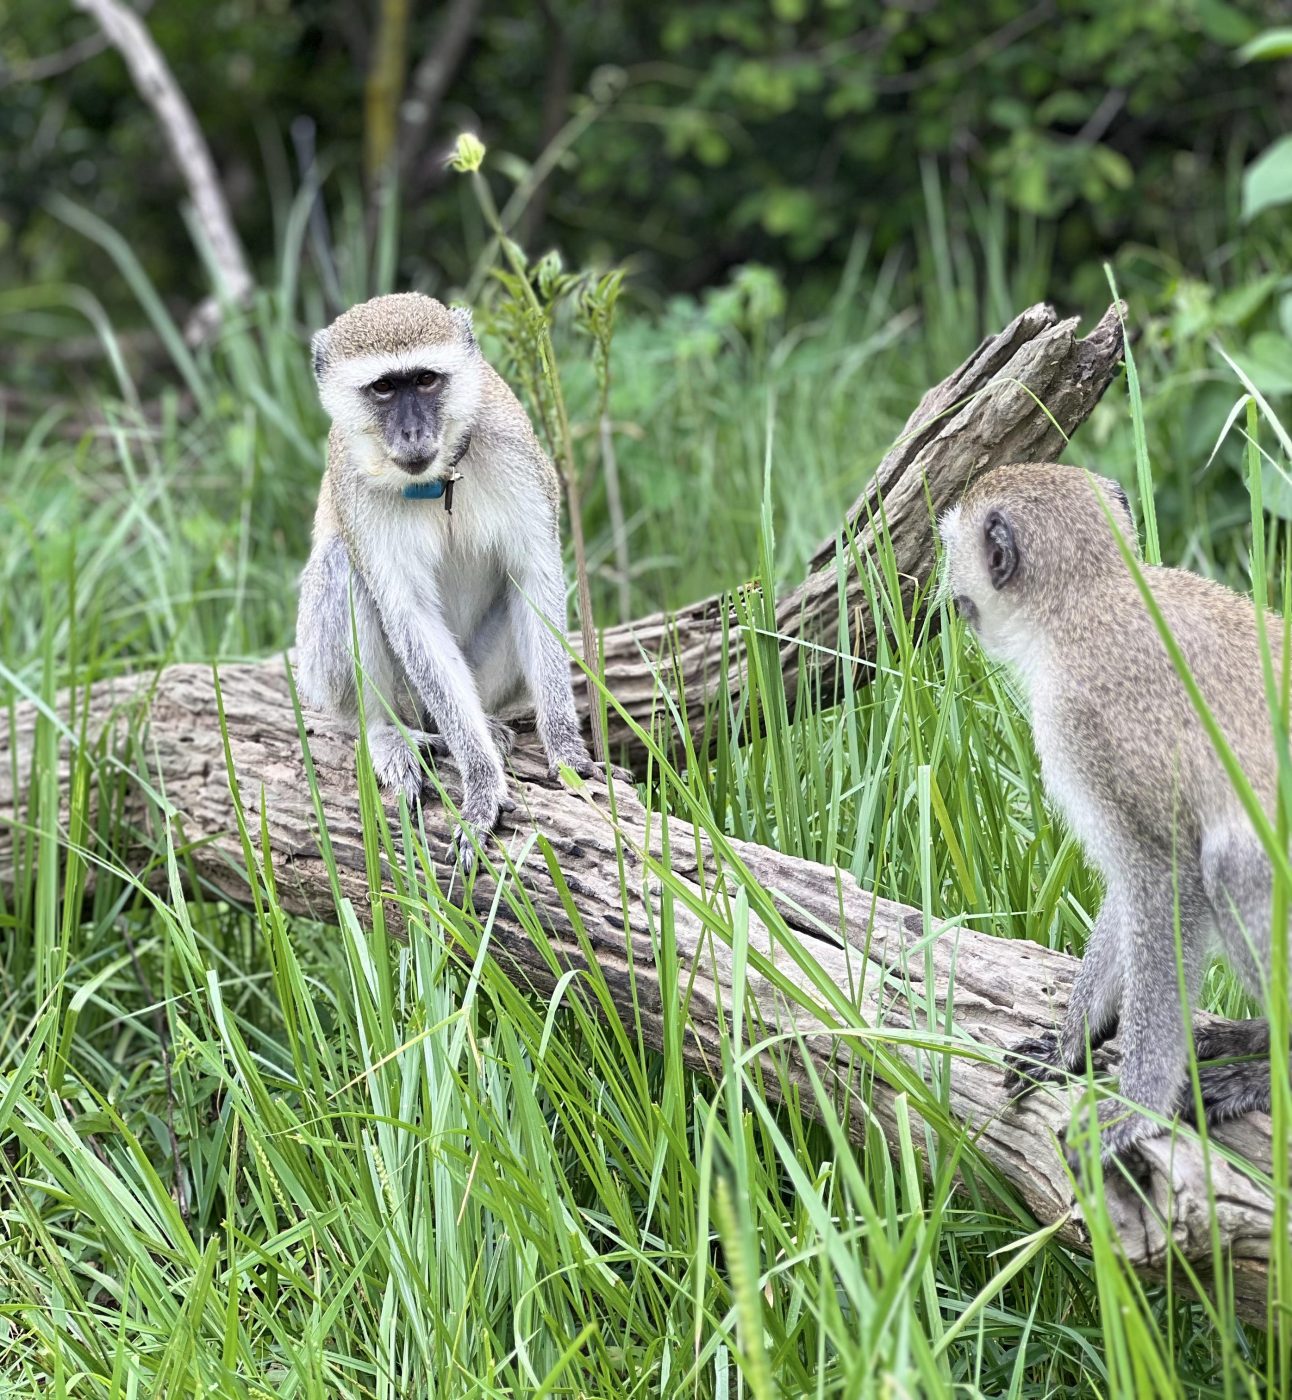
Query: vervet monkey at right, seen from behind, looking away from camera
{"x":1037,"y":572}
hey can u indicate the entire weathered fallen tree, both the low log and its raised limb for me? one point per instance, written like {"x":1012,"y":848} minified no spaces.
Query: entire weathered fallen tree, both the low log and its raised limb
{"x":876,"y":957}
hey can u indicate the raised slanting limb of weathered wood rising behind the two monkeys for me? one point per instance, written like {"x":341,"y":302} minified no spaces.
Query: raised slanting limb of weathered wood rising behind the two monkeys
{"x":1017,"y":400}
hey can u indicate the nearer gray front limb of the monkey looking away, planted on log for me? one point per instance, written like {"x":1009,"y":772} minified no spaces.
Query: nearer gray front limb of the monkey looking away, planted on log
{"x":1153,"y":1027}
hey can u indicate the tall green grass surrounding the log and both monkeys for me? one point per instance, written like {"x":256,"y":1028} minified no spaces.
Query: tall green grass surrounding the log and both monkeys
{"x":400,"y":1175}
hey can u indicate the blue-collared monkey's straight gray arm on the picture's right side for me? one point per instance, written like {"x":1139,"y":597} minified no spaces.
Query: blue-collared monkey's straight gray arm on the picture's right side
{"x":537,"y":601}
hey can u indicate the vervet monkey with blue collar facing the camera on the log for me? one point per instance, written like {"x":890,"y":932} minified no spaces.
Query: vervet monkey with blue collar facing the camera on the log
{"x":437,"y":530}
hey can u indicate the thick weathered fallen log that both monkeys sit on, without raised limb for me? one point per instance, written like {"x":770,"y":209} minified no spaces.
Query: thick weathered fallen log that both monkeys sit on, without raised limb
{"x":827,"y":957}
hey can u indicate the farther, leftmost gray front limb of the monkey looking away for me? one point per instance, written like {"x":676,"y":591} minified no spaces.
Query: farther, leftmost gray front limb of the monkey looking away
{"x":1093,"y":1010}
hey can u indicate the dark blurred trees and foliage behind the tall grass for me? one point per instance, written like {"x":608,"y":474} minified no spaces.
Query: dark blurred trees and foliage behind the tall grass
{"x":708,"y":134}
